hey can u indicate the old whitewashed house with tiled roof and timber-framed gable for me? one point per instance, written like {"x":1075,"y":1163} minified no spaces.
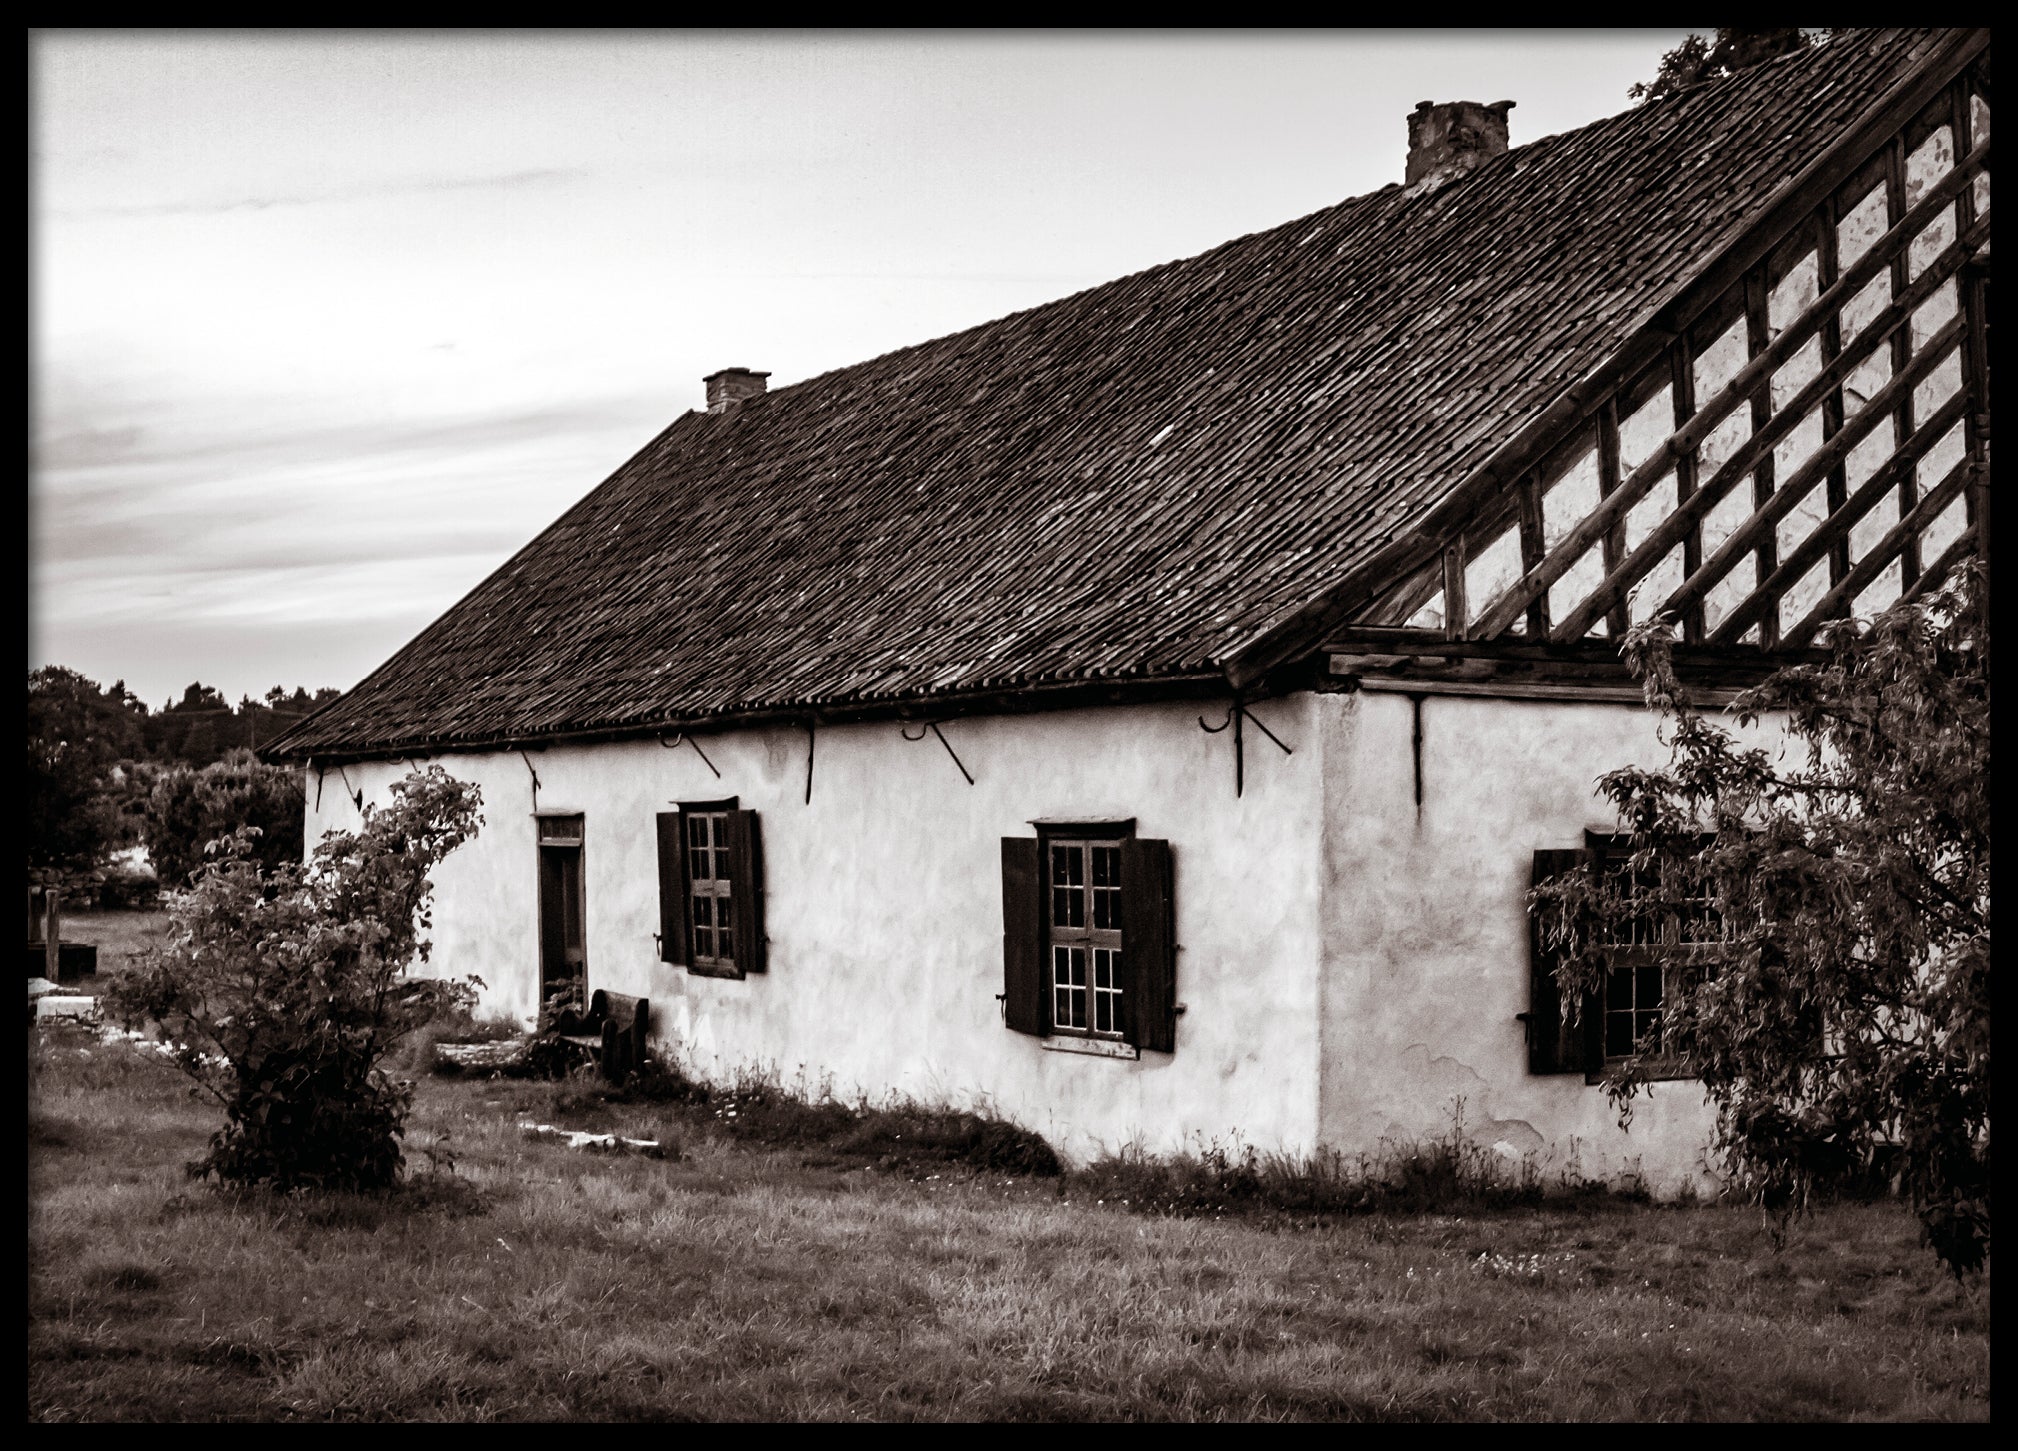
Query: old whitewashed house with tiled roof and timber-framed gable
{"x":1147,"y":713}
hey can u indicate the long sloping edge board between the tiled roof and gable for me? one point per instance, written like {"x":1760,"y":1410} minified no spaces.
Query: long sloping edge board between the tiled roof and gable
{"x":1664,"y":324}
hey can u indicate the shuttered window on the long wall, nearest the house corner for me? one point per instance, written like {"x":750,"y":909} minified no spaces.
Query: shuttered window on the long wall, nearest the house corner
{"x":1089,"y":935}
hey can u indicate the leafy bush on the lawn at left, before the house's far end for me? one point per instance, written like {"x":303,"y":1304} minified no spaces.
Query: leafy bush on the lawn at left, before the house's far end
{"x":286,"y":988}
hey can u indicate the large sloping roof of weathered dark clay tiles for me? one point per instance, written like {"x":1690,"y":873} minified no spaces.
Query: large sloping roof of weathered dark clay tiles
{"x":1123,"y":485}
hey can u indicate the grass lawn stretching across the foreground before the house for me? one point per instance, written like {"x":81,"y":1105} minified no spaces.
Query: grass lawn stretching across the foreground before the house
{"x":524,"y":1280}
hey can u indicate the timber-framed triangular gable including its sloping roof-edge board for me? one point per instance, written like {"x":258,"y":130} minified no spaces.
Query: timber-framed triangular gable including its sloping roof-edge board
{"x":1795,"y":380}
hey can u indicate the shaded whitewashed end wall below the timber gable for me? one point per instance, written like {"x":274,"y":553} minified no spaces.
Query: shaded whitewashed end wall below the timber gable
{"x":1426,"y":929}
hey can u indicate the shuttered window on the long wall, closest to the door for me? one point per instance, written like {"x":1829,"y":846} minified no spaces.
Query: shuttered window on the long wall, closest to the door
{"x":711,"y":889}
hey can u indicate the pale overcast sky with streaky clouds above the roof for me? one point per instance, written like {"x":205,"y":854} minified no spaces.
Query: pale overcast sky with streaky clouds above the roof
{"x":328,"y":326}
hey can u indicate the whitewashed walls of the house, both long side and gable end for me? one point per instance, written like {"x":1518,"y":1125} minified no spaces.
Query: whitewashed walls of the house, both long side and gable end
{"x":1351,"y":966}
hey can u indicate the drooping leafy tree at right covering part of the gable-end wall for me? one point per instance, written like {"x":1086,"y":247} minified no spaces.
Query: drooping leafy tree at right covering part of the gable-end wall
{"x":1841,"y":1006}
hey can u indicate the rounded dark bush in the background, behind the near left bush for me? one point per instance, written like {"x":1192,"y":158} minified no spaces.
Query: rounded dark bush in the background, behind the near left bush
{"x":191,"y":808}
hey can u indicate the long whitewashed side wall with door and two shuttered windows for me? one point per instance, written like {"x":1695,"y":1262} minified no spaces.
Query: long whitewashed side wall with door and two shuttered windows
{"x":885,"y":909}
